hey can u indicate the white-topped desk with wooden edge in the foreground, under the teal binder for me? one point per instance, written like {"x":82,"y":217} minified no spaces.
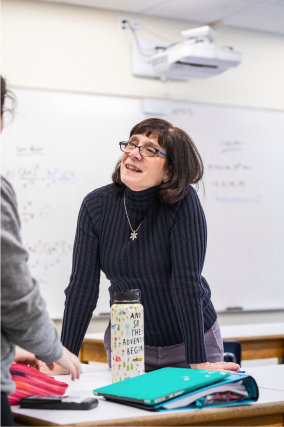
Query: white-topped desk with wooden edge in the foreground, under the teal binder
{"x":268,"y":411}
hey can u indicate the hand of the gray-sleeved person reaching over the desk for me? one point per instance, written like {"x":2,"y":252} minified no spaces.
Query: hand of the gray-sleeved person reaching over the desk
{"x":67,"y":364}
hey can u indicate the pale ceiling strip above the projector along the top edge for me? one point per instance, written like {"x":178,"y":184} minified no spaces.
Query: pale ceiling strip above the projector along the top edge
{"x":259,"y":15}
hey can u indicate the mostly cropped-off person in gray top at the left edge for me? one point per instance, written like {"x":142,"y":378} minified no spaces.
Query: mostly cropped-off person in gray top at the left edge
{"x":23,"y":317}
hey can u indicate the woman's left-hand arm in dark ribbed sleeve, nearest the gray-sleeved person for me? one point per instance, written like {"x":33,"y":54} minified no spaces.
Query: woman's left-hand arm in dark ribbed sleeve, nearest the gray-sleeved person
{"x":83,"y":290}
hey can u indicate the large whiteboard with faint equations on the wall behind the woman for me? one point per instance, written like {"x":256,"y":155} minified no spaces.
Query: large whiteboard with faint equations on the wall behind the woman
{"x":61,"y":146}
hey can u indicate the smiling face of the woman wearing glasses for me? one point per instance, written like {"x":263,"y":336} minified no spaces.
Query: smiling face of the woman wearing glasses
{"x":140,"y":173}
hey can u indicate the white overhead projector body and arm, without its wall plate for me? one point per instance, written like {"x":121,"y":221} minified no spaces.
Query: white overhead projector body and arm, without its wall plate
{"x":196,"y":57}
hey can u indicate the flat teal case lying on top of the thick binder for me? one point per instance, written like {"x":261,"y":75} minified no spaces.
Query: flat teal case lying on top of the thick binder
{"x":160,"y":385}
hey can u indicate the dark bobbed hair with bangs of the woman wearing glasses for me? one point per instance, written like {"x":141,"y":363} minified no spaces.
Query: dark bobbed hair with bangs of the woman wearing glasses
{"x":184,"y":159}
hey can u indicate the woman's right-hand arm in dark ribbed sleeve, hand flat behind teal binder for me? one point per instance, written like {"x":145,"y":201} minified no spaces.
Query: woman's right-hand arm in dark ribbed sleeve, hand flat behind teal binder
{"x":188,"y":247}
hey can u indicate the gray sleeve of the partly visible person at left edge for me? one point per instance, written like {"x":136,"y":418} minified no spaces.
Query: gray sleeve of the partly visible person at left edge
{"x":23,"y":317}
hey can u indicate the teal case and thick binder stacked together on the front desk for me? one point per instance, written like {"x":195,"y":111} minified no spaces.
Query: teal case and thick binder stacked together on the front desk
{"x":177,"y":388}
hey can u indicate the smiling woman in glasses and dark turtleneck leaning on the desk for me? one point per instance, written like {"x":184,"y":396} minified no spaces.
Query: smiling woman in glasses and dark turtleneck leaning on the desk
{"x":148,"y":232}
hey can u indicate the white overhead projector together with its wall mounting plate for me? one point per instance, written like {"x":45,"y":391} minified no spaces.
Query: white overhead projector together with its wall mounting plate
{"x":197,"y":57}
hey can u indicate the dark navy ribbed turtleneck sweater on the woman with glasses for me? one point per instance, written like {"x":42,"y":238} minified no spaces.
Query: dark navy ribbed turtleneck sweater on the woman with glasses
{"x":165,"y":262}
